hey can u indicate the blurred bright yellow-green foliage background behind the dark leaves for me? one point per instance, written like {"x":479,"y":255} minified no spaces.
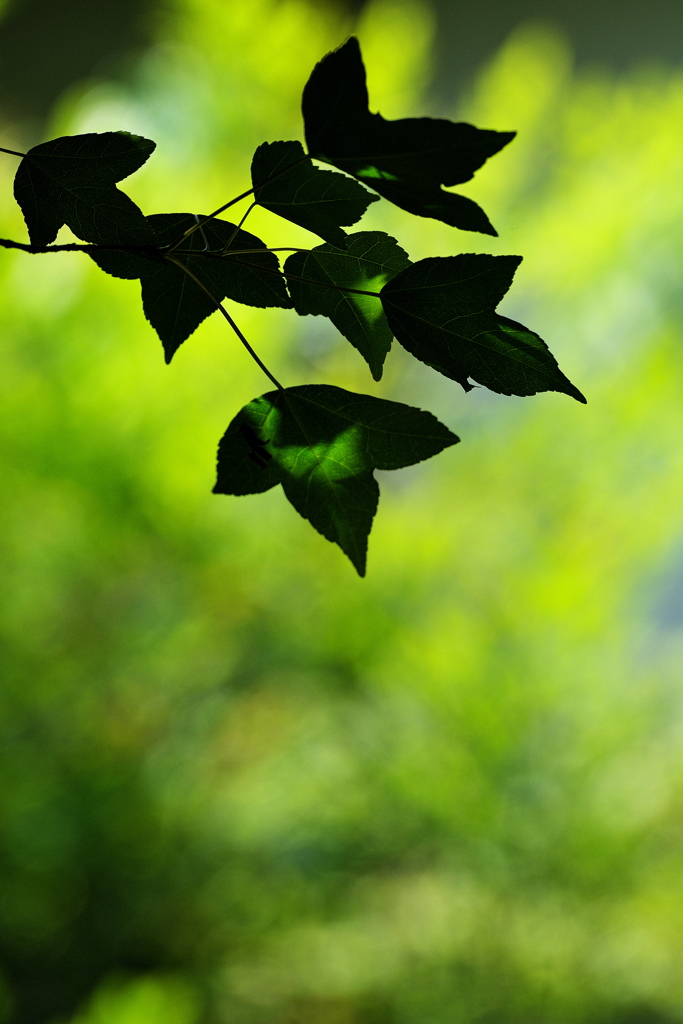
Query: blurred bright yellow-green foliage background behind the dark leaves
{"x":239,"y":785}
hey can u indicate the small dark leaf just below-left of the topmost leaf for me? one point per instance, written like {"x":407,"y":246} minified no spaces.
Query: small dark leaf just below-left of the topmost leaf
{"x":287,"y":184}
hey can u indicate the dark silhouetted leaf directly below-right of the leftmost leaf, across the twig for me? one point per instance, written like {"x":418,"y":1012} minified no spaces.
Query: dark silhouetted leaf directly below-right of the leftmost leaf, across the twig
{"x":174,"y":304}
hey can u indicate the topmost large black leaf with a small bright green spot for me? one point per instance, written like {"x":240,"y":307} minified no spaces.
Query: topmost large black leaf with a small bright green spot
{"x":407,"y":161}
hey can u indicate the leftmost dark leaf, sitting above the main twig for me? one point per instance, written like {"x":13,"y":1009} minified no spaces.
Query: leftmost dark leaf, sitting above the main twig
{"x":72,"y":181}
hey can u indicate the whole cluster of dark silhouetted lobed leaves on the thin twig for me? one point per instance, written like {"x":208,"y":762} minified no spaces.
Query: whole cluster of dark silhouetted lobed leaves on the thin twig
{"x":321,"y":443}
